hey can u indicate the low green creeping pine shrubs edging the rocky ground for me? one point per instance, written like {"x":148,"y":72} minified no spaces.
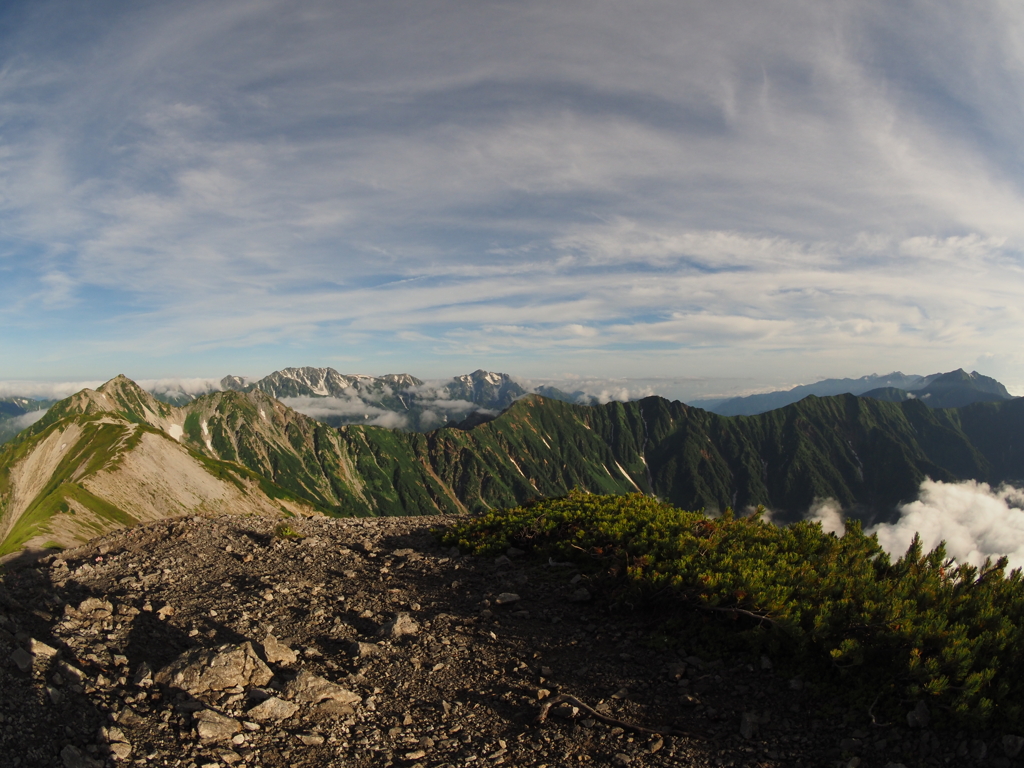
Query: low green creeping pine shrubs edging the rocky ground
{"x":891,"y":633}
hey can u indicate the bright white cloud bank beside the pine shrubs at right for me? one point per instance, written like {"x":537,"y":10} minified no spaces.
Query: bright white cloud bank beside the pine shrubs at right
{"x":975,"y":521}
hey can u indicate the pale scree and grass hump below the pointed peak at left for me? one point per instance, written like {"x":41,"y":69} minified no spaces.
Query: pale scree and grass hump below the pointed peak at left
{"x":84,"y":476}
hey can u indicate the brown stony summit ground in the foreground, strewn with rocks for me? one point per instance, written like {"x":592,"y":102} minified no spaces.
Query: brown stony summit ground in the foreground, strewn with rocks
{"x":244,"y":642}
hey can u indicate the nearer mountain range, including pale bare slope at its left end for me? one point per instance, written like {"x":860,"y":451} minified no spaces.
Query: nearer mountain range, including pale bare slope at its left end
{"x":105,"y":459}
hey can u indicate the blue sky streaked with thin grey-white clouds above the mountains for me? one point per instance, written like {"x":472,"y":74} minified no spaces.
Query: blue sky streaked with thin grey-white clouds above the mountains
{"x":708,"y":198}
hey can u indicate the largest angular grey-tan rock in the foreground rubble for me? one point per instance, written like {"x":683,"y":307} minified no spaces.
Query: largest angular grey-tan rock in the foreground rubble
{"x":202,"y":670}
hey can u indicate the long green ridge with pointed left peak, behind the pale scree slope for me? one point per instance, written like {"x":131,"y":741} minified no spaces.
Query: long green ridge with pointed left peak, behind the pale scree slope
{"x":869,"y":455}
